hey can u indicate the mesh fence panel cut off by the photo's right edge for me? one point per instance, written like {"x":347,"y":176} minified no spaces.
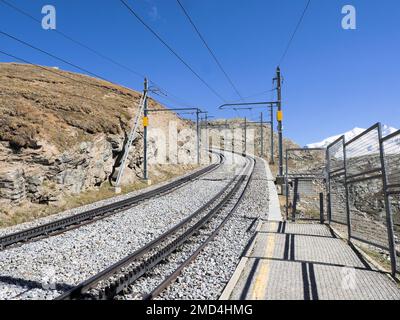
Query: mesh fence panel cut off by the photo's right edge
{"x":391,"y":147}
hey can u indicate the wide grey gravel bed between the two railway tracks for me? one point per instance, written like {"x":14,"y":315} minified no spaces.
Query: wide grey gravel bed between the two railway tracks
{"x":70,"y":258}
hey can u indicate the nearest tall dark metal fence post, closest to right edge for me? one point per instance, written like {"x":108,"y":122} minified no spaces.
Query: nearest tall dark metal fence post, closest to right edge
{"x":389,"y":218}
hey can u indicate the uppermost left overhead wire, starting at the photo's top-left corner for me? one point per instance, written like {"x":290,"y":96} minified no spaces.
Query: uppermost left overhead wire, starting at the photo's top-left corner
{"x":122,"y":66}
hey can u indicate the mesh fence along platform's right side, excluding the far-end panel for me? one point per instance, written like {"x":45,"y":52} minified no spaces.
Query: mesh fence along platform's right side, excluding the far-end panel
{"x":363,"y":188}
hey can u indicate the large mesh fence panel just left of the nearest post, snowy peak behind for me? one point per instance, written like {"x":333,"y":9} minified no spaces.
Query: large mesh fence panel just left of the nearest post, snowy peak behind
{"x":365,"y":189}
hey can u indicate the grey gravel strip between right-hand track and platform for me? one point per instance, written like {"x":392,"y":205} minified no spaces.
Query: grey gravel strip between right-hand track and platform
{"x":207,"y":276}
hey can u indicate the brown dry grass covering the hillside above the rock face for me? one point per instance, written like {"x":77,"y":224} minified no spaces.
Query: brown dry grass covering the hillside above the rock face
{"x":62,"y":108}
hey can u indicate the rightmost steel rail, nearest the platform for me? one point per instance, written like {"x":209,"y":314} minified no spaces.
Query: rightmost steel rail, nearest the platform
{"x":173,"y":276}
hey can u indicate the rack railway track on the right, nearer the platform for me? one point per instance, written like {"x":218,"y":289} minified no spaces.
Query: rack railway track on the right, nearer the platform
{"x":115,"y":280}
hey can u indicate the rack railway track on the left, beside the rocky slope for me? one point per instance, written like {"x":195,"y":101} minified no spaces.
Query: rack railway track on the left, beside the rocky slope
{"x":65,"y":224}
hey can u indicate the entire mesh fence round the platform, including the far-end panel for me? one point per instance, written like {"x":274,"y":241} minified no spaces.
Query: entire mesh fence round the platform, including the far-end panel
{"x":361,"y":180}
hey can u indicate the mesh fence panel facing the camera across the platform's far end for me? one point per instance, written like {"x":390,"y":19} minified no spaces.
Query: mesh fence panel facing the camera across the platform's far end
{"x":305,"y":170}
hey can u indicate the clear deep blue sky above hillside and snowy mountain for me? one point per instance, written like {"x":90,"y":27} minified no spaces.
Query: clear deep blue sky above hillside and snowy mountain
{"x":334,"y":79}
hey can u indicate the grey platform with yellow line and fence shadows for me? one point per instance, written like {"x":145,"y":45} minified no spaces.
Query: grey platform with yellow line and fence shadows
{"x":295,"y":261}
